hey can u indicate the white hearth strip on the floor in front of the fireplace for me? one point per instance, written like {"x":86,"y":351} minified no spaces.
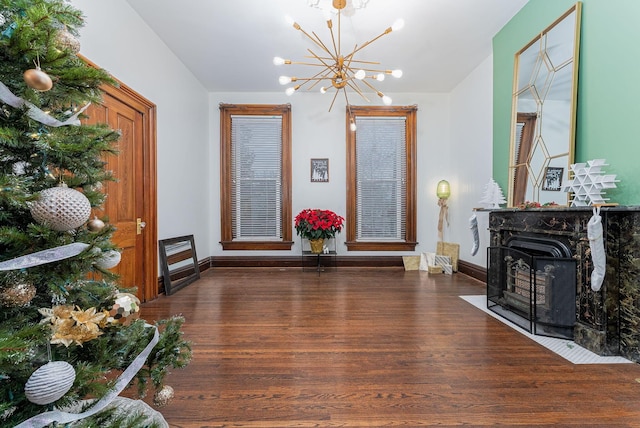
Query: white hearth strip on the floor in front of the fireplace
{"x":567,"y":349}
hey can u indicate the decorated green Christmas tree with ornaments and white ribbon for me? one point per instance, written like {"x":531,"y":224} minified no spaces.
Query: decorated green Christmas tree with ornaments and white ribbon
{"x":71,"y":336}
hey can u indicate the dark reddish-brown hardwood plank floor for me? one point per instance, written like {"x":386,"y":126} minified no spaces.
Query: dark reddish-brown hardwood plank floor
{"x":373,"y":347}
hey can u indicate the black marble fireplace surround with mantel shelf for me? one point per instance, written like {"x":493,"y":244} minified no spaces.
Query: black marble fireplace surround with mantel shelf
{"x":607,"y":322}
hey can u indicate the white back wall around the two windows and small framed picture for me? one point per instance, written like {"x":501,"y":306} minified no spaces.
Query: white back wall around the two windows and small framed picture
{"x":318,"y":133}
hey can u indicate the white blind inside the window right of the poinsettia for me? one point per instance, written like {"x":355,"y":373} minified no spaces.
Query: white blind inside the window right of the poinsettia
{"x":380,"y":178}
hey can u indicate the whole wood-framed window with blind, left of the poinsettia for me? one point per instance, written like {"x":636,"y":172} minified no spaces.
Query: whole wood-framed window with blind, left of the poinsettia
{"x":255,"y":177}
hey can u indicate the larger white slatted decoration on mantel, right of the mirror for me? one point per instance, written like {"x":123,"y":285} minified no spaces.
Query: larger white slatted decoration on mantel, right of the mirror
{"x":589,"y":183}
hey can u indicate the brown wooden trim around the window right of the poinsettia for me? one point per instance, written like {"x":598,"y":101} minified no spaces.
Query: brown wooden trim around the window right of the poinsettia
{"x":409,"y":243}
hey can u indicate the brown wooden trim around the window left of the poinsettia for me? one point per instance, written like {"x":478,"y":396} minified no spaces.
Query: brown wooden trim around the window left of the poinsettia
{"x":226,"y":208}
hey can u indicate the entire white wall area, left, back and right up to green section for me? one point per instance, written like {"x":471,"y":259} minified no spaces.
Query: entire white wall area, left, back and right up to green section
{"x":188,"y":139}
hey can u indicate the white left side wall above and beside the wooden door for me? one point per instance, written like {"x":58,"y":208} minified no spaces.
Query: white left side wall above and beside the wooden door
{"x":133,"y":54}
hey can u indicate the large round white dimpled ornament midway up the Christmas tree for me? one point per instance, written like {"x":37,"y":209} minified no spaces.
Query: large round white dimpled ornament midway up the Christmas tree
{"x":61,"y":208}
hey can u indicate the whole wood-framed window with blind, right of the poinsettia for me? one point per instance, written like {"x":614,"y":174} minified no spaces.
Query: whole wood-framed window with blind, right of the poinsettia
{"x":381,"y":177}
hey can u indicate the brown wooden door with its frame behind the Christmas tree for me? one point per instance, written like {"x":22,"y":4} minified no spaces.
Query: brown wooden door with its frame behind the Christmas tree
{"x":131,"y":201}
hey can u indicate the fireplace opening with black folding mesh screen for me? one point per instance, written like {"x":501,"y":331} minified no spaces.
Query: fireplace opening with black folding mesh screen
{"x":534,"y":284}
